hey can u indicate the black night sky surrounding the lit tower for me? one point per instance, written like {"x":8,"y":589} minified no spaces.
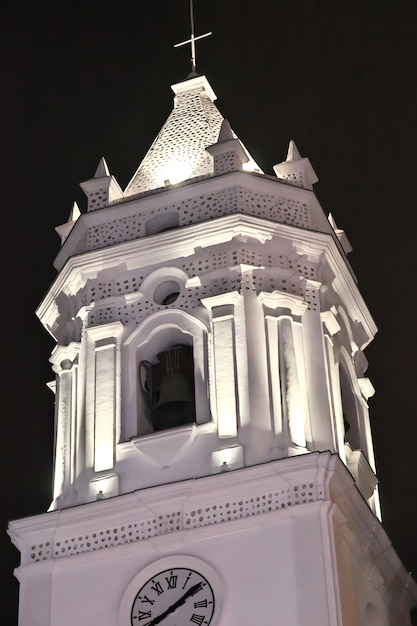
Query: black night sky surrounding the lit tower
{"x":81,"y":80}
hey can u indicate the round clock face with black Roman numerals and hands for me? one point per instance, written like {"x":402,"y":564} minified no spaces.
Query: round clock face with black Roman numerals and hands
{"x":178,"y":596}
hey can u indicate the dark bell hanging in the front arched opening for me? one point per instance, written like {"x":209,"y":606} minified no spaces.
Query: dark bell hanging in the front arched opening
{"x":169,"y":388}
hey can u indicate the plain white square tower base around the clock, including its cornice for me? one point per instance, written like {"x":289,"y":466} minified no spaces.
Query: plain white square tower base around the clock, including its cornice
{"x":291,"y":540}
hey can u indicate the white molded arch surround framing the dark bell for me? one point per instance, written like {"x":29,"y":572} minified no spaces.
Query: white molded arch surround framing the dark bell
{"x":158,"y":333}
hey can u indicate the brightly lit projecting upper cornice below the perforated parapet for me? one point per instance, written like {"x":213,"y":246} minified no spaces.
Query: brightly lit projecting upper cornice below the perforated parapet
{"x":161,"y":248}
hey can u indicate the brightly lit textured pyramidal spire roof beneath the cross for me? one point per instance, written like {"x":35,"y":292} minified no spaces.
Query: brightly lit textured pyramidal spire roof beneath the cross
{"x":179,"y":151}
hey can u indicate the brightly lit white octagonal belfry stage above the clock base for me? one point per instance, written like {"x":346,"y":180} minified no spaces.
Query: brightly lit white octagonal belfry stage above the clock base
{"x":265,"y":297}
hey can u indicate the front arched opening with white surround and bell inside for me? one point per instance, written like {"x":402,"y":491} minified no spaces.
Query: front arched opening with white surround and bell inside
{"x":152,"y":342}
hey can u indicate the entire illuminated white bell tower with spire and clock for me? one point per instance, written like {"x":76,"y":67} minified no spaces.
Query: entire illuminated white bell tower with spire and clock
{"x":213,"y":452}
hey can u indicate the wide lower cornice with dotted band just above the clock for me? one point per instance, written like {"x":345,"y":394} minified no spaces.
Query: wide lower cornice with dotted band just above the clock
{"x":258,"y":495}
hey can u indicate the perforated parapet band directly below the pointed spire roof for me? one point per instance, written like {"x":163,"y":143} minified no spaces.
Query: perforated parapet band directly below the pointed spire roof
{"x":233,"y":192}
